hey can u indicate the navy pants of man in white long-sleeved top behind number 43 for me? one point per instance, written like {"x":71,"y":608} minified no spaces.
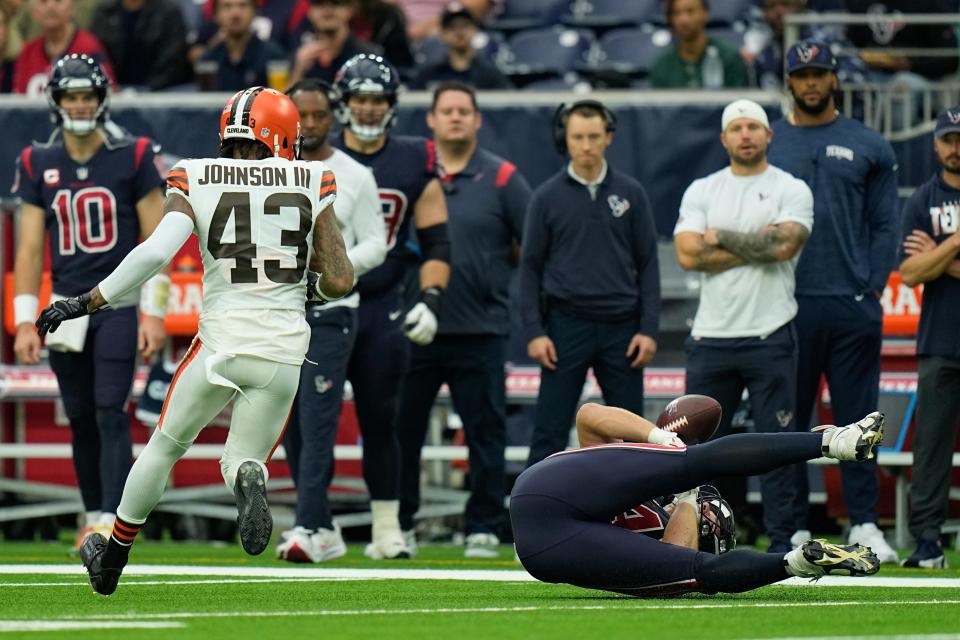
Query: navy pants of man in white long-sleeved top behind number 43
{"x":312,"y":430}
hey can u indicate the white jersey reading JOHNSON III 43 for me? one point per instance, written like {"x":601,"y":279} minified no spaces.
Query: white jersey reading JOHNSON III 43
{"x":254,"y":222}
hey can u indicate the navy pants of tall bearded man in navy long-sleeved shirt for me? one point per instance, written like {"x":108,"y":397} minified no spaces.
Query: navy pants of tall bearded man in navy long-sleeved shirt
{"x":840,"y":337}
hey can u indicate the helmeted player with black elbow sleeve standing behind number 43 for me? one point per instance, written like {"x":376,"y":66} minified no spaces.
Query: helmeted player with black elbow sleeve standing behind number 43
{"x":406,"y":173}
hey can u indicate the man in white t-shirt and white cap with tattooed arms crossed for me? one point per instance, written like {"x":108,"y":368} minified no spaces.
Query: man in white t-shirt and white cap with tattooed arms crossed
{"x":743,"y":227}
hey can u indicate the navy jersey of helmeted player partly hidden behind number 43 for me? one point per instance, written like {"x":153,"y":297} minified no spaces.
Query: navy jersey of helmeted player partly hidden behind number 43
{"x":402,"y":168}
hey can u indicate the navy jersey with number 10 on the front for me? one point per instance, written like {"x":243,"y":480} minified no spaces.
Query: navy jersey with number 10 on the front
{"x":90,"y":207}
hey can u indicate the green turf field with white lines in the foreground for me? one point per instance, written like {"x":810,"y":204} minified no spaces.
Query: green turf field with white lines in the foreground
{"x":218,"y":592}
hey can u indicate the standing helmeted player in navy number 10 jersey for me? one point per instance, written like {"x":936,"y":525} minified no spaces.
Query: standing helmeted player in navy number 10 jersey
{"x":96,"y":190}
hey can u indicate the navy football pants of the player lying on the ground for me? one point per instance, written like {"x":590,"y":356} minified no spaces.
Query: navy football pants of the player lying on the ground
{"x":561,"y":510}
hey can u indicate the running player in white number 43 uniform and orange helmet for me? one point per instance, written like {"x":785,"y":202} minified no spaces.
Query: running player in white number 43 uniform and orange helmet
{"x":253,"y":210}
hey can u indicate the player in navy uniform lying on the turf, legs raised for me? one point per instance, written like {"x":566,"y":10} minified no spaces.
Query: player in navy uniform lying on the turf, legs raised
{"x":563,"y":508}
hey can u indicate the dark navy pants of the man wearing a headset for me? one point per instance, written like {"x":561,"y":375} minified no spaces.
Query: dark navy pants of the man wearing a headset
{"x":582,"y":344}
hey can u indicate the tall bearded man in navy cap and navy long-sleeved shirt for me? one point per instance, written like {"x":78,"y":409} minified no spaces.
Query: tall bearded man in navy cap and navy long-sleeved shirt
{"x":841,"y":275}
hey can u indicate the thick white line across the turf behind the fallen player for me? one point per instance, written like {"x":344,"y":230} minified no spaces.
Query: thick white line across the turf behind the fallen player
{"x":332,"y":573}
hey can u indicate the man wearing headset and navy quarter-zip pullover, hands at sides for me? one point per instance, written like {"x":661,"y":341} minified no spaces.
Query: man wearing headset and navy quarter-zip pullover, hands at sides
{"x":589,"y":278}
